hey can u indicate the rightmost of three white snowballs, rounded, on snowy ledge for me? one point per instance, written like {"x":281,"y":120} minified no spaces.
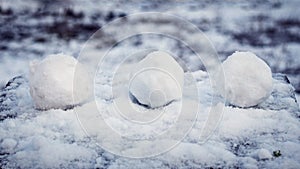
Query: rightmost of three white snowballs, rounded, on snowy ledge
{"x":248,"y":79}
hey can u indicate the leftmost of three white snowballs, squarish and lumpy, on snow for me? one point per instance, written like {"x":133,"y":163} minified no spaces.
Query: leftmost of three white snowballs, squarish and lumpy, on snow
{"x":52,"y":82}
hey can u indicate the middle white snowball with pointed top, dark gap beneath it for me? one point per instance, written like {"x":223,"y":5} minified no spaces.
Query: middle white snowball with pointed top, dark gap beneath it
{"x":156,"y":80}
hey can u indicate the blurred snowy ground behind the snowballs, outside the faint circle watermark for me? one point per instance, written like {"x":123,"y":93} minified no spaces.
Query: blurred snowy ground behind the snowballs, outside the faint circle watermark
{"x":32,"y":29}
